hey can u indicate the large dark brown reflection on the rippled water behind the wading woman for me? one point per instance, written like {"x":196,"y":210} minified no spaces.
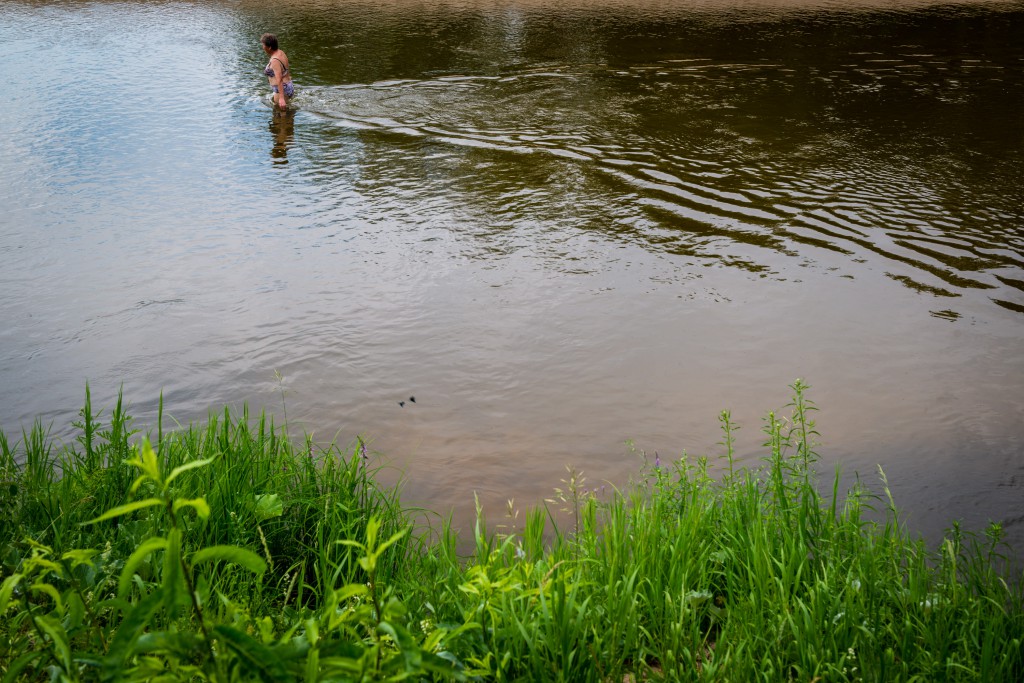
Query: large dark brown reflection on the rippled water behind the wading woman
{"x":869,"y":134}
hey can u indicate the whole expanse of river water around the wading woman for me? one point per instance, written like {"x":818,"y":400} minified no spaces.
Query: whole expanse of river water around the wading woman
{"x":561,"y":227}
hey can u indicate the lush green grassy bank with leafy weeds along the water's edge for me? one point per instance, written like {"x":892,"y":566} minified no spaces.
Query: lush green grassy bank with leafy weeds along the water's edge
{"x":230,"y":551}
